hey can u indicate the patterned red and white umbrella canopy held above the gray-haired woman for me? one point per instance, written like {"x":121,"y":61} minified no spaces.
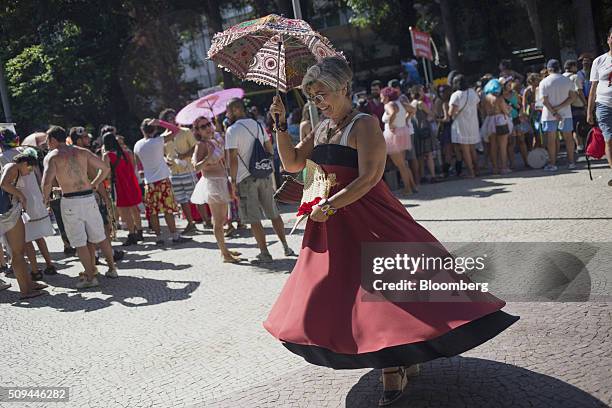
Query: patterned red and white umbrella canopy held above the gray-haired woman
{"x":250,"y":50}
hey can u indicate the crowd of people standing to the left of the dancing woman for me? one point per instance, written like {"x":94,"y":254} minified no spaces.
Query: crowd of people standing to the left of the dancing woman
{"x":92,"y":189}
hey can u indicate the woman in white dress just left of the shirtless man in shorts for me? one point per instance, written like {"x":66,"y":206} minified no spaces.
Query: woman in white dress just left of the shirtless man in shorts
{"x":36,"y":219}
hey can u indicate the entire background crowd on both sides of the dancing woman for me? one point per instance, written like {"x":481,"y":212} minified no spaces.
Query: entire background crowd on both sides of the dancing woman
{"x":226,"y":169}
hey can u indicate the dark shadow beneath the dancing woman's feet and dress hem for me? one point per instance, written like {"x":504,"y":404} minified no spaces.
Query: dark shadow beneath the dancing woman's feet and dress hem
{"x":473,"y":382}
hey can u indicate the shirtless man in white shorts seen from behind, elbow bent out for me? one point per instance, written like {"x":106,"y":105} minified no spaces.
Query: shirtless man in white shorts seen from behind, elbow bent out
{"x":82,"y":220}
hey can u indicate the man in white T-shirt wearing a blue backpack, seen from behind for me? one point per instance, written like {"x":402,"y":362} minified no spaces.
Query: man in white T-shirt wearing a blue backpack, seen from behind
{"x":251,"y":167}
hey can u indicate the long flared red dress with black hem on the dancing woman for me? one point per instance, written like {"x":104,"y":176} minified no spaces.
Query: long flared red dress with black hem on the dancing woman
{"x":321,"y":313}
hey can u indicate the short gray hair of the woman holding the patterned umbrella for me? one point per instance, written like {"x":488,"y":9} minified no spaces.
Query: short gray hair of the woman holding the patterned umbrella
{"x":332,"y":72}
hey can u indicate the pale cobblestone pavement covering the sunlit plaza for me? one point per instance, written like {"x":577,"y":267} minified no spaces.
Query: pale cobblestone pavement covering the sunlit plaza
{"x":181,"y":329}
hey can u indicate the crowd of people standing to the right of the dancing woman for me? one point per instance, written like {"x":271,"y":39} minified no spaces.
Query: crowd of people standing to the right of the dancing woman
{"x":465,"y":129}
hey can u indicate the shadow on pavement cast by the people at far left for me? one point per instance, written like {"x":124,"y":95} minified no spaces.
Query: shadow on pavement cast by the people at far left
{"x":128,"y":291}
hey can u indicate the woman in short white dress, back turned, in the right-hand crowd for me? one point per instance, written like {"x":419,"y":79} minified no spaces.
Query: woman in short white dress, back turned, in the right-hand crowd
{"x":464,"y":129}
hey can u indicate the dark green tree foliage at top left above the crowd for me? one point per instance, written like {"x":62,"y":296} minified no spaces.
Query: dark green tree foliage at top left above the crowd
{"x":92,"y":61}
